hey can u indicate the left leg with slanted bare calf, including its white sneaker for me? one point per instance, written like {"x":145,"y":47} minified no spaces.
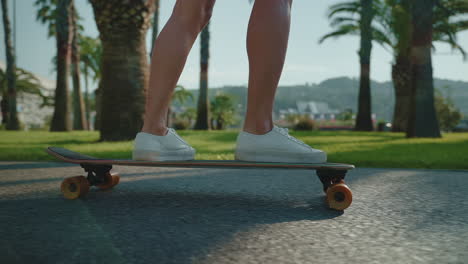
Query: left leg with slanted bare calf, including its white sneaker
{"x":156,"y":142}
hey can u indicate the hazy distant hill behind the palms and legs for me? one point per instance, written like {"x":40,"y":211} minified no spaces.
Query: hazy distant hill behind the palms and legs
{"x":341,"y":93}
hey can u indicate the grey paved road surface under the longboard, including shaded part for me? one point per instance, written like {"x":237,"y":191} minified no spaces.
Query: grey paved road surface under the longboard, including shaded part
{"x":171,"y":215}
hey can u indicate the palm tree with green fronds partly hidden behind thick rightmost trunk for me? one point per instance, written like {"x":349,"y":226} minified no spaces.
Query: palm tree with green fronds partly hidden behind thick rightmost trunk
{"x":398,"y":36}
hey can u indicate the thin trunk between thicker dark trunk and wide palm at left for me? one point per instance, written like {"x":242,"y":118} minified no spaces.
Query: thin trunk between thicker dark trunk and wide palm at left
{"x":79,"y":119}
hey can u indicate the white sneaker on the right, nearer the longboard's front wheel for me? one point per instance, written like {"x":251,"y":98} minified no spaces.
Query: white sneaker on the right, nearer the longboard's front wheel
{"x":276,"y":146}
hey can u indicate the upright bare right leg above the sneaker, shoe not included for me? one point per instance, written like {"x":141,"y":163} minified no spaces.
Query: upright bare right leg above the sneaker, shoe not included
{"x":267,"y":41}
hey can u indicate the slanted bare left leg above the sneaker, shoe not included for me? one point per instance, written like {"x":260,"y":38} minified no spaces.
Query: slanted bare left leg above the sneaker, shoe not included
{"x":169,"y":56}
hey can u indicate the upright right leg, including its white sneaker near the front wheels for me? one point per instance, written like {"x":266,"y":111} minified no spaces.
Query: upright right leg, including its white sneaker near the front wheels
{"x":267,"y":41}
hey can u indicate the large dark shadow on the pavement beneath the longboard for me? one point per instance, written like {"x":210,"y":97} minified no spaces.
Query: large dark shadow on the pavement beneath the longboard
{"x":173,"y":222}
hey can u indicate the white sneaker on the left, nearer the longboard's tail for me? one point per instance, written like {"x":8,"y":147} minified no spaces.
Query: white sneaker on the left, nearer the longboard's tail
{"x":150,"y":147}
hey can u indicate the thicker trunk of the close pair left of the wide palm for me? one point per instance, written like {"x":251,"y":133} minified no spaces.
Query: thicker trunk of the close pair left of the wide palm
{"x":61,"y":116}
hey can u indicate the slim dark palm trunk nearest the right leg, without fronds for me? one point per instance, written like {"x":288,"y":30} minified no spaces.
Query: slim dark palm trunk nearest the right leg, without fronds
{"x":364,"y":119}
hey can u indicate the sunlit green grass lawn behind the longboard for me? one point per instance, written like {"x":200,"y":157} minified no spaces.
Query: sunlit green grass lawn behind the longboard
{"x":364,"y":149}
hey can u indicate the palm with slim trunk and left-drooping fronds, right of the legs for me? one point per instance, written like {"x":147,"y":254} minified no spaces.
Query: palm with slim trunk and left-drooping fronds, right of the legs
{"x":363,"y":27}
